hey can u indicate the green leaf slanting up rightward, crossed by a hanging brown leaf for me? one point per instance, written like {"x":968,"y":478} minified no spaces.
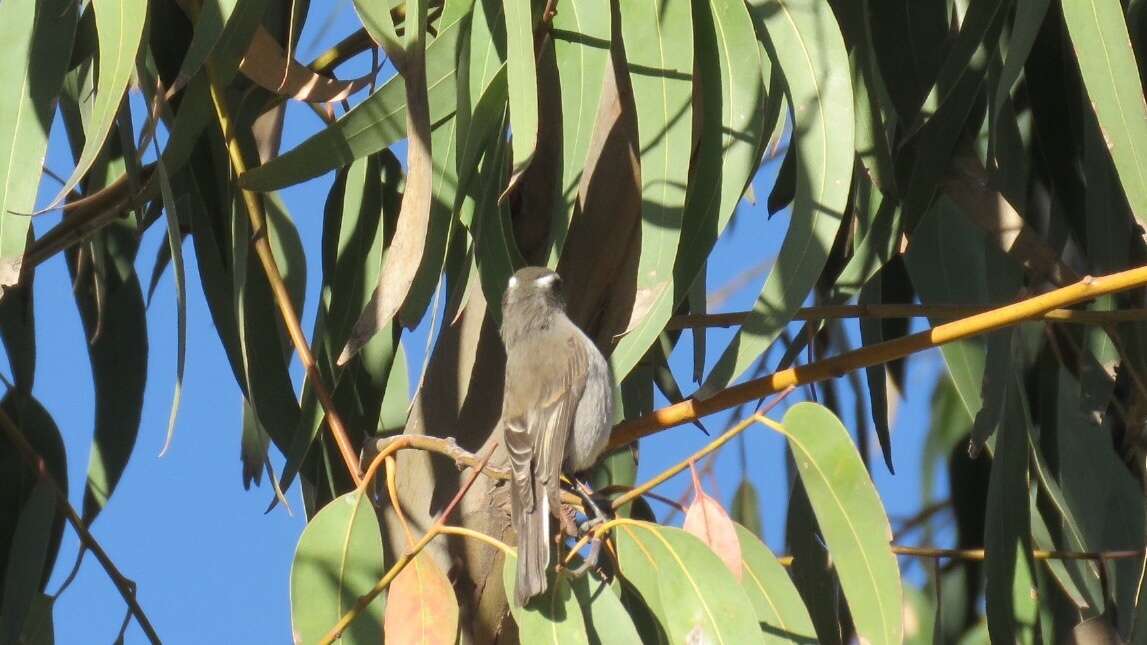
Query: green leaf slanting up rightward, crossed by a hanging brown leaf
{"x":374,"y":125}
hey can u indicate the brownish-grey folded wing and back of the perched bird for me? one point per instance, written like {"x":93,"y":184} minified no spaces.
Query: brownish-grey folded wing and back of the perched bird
{"x":536,"y":436}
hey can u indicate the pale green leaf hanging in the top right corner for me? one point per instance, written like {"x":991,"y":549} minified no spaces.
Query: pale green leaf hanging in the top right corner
{"x":1107,"y":65}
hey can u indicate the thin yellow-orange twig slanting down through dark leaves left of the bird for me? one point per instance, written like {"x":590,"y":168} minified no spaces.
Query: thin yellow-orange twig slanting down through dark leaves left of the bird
{"x":279,"y":289}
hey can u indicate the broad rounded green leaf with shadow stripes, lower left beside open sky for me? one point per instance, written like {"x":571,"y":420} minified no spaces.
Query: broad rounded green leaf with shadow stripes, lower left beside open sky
{"x":339,"y":558}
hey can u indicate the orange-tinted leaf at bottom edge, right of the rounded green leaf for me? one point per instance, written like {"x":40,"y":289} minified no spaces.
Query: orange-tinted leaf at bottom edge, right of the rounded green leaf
{"x":422,"y":608}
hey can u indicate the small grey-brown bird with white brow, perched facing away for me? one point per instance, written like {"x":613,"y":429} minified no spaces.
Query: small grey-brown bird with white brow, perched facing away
{"x":558,"y":410}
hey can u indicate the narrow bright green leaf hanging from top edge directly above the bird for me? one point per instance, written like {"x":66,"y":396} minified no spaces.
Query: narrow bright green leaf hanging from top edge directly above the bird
{"x":522,"y":77}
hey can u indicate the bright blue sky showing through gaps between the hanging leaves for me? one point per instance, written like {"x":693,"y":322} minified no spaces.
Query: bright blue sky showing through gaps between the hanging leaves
{"x":210,"y":565}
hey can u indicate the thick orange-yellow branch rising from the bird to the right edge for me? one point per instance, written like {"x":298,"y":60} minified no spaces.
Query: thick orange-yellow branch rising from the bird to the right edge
{"x":688,"y":411}
